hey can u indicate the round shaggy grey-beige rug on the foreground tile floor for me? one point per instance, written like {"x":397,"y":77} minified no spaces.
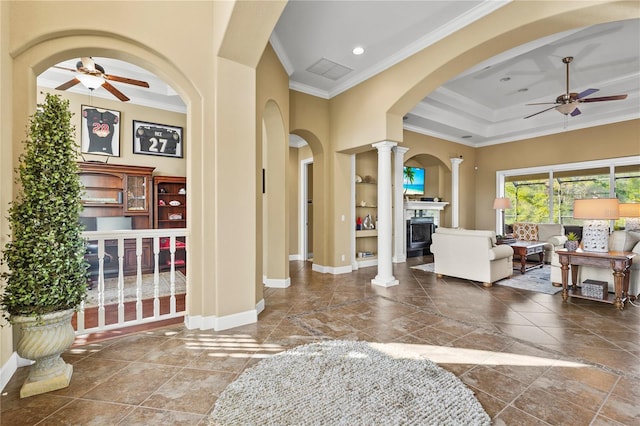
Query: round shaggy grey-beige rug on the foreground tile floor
{"x":347,"y":383}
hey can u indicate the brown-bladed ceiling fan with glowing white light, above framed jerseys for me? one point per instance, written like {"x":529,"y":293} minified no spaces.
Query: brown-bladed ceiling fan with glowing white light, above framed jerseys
{"x":92,"y":76}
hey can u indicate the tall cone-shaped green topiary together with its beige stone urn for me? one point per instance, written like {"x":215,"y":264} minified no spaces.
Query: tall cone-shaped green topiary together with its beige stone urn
{"x":46,"y":276}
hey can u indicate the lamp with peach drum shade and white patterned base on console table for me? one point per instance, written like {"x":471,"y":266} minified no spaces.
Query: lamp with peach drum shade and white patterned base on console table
{"x":596,"y":213}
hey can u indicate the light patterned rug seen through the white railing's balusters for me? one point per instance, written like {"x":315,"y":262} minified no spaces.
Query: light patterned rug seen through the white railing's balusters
{"x":130,"y":288}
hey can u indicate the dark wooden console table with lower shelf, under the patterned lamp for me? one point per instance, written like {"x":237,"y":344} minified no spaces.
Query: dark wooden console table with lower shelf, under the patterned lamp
{"x":618,"y":261}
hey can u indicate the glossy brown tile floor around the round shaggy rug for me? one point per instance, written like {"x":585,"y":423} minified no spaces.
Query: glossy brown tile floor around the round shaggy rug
{"x":530,"y":358}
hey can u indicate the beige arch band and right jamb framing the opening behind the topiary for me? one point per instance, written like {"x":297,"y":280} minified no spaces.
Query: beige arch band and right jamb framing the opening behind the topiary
{"x":52,"y":49}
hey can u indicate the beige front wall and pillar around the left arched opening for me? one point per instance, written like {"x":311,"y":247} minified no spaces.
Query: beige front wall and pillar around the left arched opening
{"x":219,"y":87}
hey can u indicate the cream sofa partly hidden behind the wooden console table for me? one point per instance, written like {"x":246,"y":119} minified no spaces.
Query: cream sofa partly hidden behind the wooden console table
{"x":618,"y":241}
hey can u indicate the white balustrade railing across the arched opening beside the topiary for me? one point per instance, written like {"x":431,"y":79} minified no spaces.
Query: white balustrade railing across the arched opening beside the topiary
{"x":146,"y":274}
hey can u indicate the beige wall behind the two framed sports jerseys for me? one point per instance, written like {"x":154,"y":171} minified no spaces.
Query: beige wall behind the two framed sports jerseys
{"x":165,"y":166}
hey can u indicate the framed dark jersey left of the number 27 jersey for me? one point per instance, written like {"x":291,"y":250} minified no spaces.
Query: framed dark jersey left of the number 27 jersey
{"x":100,"y":131}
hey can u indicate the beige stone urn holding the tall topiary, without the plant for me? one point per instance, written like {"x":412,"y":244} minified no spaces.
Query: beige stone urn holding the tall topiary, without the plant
{"x":43,"y":340}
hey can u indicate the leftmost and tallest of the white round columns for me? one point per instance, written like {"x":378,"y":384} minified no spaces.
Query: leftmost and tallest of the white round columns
{"x":385,"y":276}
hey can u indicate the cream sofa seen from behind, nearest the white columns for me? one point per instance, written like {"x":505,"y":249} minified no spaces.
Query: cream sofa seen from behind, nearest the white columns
{"x":471,"y":255}
